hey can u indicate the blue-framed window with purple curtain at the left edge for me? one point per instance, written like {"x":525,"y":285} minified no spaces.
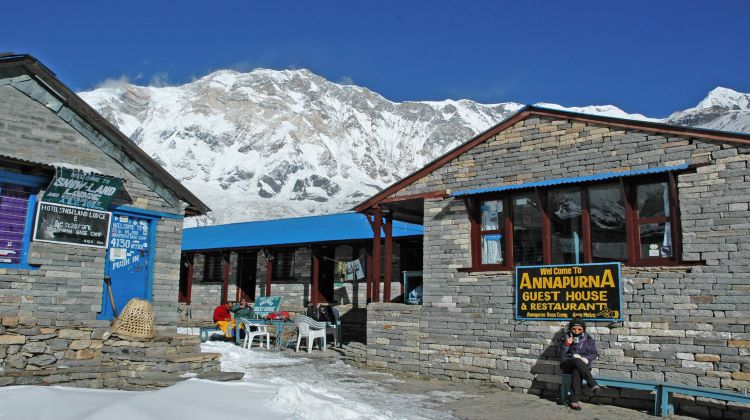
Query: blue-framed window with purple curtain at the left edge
{"x":18,"y":195}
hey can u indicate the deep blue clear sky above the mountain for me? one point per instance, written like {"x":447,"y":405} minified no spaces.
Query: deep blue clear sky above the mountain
{"x":649,"y":57}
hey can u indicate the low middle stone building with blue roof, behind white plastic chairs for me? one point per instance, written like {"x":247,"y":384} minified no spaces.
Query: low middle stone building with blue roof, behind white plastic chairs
{"x":294,"y":258}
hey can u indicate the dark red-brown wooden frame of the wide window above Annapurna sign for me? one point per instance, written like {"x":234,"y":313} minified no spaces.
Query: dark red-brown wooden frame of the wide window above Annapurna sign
{"x":628,"y":186}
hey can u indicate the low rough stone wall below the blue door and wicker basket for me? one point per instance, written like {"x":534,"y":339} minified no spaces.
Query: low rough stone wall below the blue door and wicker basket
{"x":85,"y":357}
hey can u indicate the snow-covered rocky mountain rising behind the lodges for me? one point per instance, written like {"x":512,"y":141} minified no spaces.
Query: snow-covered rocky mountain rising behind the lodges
{"x":268,"y":144}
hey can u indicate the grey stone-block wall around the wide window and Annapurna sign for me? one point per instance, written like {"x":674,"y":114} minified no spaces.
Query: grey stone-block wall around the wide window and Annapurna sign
{"x":684,"y":324}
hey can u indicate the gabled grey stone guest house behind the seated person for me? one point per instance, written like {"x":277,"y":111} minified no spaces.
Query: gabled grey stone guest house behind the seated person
{"x":546,"y":187}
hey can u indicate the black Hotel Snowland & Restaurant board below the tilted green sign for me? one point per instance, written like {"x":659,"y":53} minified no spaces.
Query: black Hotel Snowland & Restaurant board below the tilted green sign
{"x":71,"y":225}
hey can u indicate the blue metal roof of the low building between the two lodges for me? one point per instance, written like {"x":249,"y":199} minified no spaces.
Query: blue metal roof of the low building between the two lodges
{"x":299,"y":230}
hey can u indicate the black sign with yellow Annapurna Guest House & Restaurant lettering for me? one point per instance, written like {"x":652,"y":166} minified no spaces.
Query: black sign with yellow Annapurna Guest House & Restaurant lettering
{"x":561,"y":292}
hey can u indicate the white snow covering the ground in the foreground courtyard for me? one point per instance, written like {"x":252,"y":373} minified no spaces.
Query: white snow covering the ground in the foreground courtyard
{"x":277,"y":385}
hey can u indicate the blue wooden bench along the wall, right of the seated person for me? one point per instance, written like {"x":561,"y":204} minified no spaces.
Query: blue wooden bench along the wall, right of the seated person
{"x":664,"y":392}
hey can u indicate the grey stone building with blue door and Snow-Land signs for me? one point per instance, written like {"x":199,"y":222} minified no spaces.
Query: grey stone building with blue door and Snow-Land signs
{"x":78,"y":202}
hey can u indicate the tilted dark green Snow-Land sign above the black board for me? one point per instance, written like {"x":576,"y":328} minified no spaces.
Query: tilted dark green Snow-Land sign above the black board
{"x":80,"y":189}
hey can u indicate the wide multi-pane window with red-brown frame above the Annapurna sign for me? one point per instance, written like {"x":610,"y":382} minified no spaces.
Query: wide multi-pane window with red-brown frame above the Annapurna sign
{"x":631,"y":221}
